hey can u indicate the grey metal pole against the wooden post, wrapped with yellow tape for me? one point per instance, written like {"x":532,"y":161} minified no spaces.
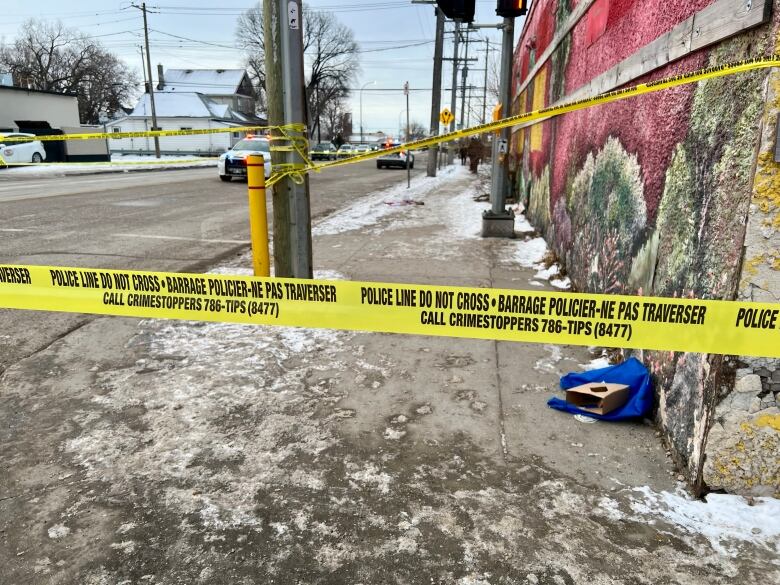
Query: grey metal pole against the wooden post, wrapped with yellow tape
{"x":291,"y":15}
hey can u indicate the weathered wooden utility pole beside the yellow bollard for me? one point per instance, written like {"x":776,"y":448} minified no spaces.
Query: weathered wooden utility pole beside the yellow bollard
{"x":275,"y":105}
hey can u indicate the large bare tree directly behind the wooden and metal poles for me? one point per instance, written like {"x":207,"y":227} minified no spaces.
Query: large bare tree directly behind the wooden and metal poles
{"x":330,"y":54}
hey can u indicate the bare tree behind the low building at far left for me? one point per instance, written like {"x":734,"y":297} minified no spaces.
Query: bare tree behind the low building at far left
{"x":52,"y":57}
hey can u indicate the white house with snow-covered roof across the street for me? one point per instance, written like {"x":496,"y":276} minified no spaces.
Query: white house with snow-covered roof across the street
{"x":191,"y":100}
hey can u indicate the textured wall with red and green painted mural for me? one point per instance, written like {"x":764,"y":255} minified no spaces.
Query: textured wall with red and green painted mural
{"x":652,"y":195}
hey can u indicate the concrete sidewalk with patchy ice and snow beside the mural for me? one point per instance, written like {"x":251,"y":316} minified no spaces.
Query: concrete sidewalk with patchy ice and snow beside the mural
{"x":209,"y":453}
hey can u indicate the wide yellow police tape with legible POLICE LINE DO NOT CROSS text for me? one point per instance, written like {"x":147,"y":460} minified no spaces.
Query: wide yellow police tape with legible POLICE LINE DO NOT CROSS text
{"x":723,"y":327}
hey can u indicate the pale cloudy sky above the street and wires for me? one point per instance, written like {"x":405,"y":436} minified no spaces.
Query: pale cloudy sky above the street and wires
{"x":378,"y":25}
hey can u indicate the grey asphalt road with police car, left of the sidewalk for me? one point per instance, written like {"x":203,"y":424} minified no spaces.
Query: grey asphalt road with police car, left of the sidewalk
{"x":177,"y":220}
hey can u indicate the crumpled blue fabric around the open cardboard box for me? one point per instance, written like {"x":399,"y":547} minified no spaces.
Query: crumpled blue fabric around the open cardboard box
{"x":631,"y":373}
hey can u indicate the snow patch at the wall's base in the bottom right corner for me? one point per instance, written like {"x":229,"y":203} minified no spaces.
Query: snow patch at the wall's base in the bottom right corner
{"x":723,"y":519}
